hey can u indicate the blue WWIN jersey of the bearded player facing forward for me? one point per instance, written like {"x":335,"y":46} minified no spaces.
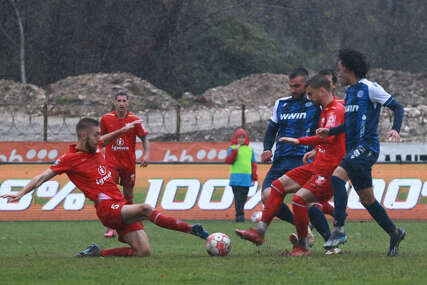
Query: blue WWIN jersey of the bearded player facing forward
{"x":294,"y":118}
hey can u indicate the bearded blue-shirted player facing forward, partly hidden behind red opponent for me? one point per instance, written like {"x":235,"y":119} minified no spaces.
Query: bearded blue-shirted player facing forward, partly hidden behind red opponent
{"x":294,"y":116}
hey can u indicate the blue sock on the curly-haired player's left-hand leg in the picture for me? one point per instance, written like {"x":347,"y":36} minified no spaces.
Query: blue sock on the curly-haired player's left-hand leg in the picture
{"x":340,"y":201}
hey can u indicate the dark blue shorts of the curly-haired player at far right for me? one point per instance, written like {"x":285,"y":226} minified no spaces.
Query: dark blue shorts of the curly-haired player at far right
{"x":358,"y":164}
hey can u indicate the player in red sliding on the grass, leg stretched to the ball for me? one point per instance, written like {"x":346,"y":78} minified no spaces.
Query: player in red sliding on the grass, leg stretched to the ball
{"x":87,"y":168}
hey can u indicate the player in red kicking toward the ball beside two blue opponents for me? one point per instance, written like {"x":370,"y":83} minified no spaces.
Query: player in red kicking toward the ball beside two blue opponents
{"x":310,"y":182}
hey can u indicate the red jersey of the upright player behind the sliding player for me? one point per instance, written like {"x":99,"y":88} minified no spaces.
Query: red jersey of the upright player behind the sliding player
{"x":121,"y":153}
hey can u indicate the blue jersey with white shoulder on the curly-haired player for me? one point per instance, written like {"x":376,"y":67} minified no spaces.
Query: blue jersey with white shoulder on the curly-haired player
{"x":363,"y":102}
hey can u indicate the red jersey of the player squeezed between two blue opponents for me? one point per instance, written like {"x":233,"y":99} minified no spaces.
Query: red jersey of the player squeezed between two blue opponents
{"x":331,"y":150}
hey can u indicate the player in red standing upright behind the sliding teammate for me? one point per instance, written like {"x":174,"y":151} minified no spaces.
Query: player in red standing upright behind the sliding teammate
{"x":120,"y":154}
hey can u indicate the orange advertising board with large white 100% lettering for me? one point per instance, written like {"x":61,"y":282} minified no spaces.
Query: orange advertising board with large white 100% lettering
{"x":199,"y":191}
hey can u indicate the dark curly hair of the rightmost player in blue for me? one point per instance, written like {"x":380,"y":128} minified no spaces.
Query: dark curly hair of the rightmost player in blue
{"x":354,"y":61}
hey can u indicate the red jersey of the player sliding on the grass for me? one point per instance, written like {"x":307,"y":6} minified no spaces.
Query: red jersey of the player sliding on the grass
{"x":89,"y":172}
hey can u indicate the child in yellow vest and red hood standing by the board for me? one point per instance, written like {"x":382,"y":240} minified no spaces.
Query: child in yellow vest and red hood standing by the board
{"x":242,"y":170}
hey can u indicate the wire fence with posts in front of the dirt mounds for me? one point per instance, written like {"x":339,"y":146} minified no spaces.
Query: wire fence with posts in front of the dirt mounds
{"x":47,"y":124}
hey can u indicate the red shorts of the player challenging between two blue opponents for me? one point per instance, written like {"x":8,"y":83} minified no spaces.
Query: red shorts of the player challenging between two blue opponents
{"x":314,"y":179}
